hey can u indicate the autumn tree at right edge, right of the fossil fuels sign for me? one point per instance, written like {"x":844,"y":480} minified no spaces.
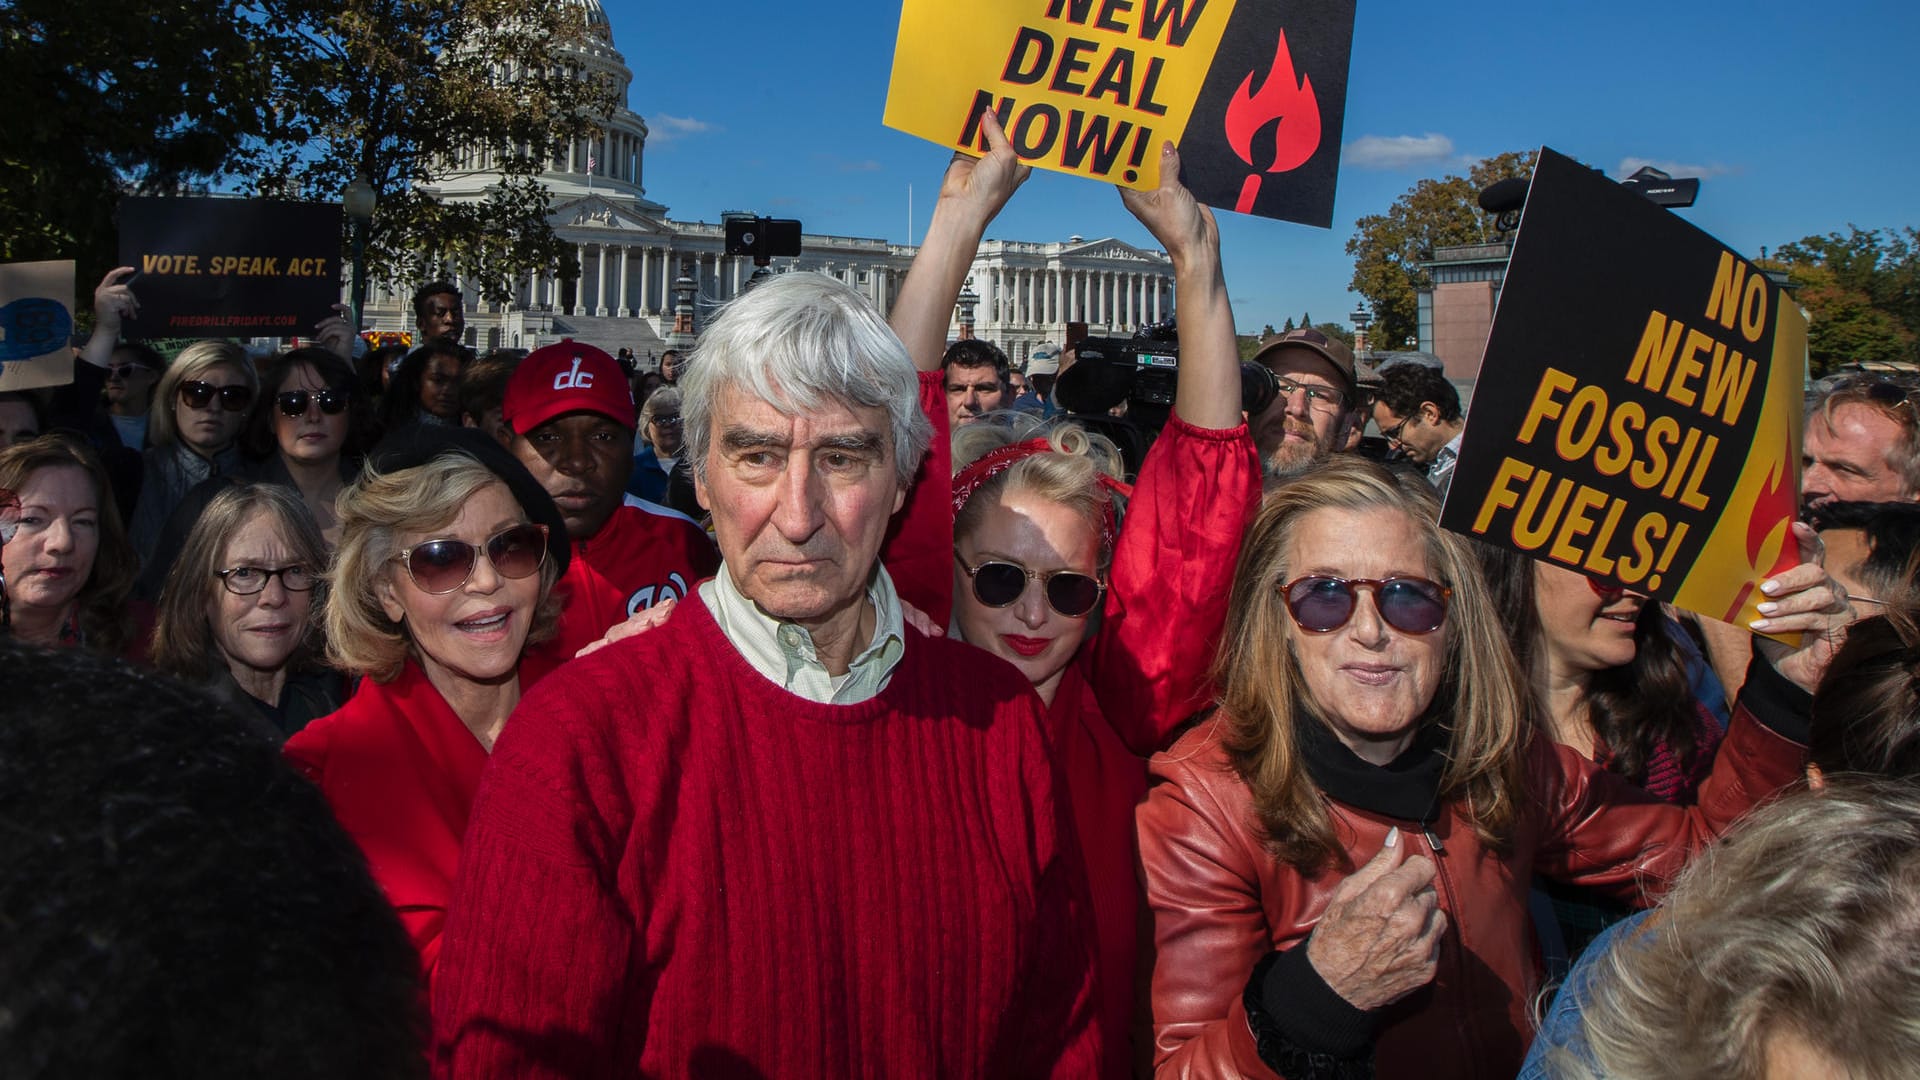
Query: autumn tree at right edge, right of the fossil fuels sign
{"x":1861,"y":293}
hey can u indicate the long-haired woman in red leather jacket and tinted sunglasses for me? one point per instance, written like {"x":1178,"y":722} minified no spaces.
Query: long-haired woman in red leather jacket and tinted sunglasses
{"x":1337,"y":862}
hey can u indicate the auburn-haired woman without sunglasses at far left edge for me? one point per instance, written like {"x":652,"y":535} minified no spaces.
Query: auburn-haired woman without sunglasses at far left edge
{"x":68,"y":566}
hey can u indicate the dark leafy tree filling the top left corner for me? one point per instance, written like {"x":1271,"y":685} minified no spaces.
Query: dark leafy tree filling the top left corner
{"x":139,"y":97}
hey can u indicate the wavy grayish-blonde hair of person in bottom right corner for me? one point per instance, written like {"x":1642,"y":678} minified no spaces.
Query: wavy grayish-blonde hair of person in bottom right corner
{"x":1800,"y":923}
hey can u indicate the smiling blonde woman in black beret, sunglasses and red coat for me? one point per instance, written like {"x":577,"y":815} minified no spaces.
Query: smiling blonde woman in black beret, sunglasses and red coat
{"x":441,"y":585}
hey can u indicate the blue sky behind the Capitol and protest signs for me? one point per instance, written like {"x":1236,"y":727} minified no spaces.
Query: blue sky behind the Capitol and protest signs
{"x":1800,"y":118}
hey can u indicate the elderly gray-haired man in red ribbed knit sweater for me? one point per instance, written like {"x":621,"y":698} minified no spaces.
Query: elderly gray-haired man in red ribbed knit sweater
{"x":790,"y":835}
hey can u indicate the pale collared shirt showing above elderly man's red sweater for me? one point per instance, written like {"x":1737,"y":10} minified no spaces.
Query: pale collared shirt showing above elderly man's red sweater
{"x":784,"y":652}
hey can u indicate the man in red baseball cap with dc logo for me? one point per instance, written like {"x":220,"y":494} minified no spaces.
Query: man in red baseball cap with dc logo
{"x":573,"y":428}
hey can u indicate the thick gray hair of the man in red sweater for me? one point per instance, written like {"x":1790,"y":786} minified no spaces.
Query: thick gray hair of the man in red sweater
{"x":796,"y":343}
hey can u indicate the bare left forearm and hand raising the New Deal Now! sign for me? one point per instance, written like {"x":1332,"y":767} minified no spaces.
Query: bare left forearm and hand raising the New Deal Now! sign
{"x":972,"y":195}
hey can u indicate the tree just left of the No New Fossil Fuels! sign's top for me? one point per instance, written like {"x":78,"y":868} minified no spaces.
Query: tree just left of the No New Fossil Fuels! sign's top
{"x":1433,"y":214}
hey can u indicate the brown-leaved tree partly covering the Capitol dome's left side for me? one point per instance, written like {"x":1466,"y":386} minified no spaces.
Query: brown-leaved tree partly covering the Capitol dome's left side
{"x":398,"y":91}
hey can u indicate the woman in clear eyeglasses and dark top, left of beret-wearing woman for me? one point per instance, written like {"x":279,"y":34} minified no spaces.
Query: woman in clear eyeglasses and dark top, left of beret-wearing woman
{"x":237,"y":614}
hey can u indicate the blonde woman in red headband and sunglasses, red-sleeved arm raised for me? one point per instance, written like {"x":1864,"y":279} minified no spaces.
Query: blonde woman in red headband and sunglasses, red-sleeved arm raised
{"x":1038,"y":549}
